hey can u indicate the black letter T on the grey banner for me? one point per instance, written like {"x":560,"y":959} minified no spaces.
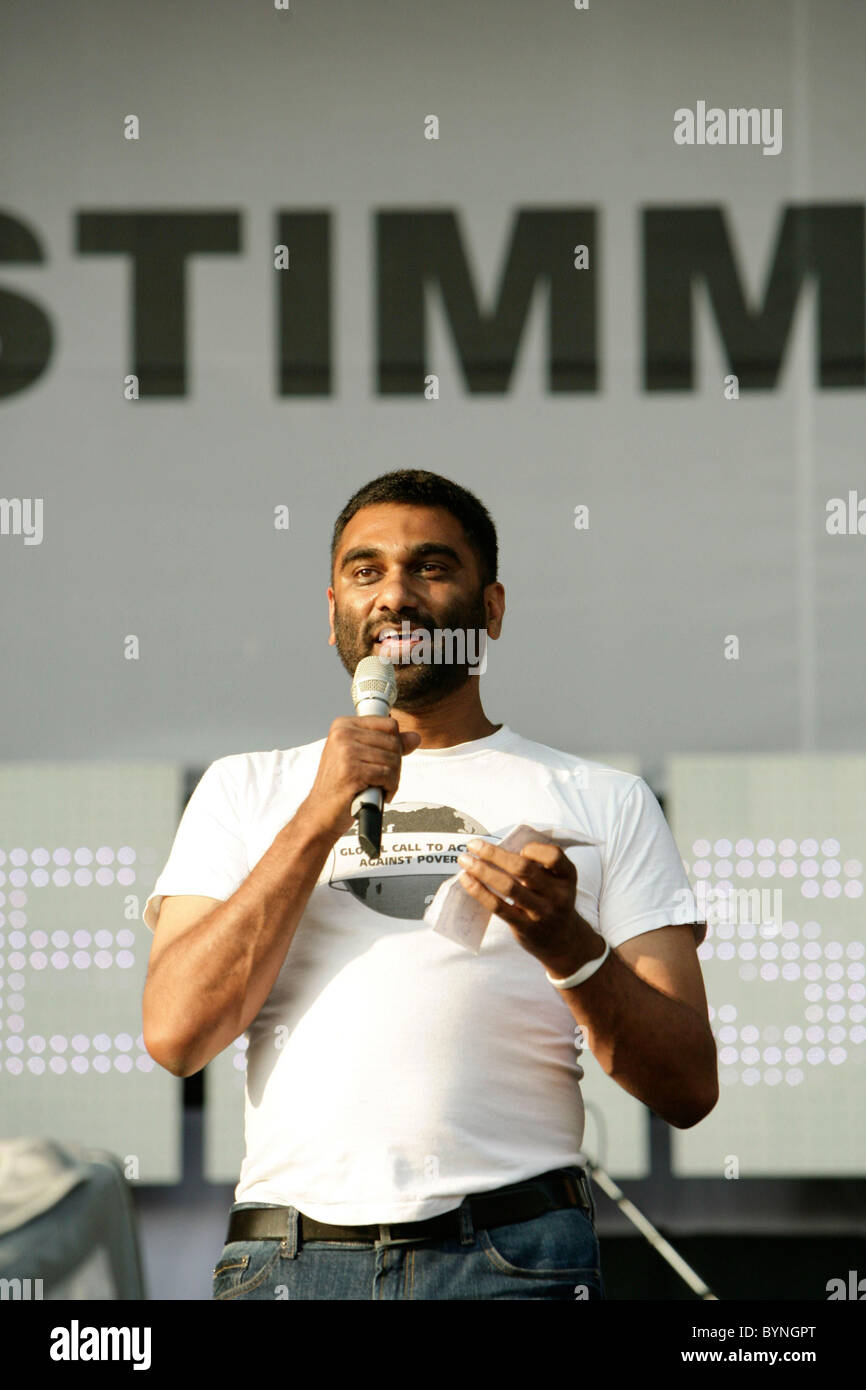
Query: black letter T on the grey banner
{"x":159,"y":245}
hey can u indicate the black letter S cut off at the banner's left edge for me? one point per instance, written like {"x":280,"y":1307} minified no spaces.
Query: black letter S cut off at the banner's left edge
{"x":26,"y":330}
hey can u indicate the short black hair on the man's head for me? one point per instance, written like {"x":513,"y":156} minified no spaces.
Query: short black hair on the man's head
{"x":418,"y":487}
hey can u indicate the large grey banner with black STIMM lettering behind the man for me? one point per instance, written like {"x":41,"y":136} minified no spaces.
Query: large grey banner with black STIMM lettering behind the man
{"x":604,"y":265}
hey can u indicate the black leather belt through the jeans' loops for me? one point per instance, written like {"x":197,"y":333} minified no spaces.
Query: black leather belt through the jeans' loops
{"x":504,"y":1207}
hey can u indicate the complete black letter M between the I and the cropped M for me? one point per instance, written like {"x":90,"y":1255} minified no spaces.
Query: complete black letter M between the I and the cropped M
{"x":420,"y":250}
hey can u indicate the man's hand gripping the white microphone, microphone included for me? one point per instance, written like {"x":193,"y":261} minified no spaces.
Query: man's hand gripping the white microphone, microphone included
{"x":361,"y":765}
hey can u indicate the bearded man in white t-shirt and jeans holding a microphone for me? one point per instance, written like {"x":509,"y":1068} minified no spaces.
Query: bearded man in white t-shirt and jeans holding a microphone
{"x":414,"y":1110}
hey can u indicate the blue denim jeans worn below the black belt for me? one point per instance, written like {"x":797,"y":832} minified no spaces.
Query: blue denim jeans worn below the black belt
{"x":555,"y":1256}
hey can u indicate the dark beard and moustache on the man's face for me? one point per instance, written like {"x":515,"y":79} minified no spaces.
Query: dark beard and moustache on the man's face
{"x":425,"y":685}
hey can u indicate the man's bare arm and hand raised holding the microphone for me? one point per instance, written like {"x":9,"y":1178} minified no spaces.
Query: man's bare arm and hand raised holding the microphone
{"x":209,"y":978}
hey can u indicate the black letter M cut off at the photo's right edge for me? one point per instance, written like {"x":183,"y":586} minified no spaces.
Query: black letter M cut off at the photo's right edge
{"x":687,"y":245}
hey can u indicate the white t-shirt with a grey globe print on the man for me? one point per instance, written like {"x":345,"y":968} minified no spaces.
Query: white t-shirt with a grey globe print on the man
{"x":391,"y":1072}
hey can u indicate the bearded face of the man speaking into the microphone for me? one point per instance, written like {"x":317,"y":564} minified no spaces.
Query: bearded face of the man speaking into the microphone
{"x":398,"y":564}
